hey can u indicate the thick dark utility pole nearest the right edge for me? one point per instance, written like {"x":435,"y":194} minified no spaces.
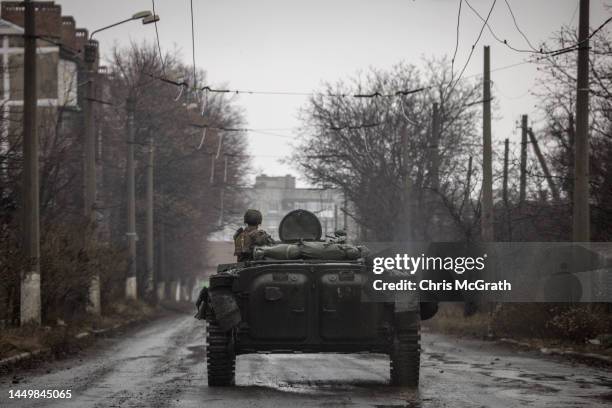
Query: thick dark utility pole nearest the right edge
{"x":581,"y":211}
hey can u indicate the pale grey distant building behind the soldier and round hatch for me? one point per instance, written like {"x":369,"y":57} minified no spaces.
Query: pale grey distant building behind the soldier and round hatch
{"x":276,"y":196}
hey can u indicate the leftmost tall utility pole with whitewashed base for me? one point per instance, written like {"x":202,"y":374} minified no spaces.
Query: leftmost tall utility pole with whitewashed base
{"x":30,"y":303}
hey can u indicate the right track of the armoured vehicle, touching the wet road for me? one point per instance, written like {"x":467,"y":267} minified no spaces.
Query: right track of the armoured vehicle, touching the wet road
{"x":406,"y":354}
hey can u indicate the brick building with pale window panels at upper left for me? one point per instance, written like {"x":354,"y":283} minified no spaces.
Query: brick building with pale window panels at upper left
{"x":61,"y":74}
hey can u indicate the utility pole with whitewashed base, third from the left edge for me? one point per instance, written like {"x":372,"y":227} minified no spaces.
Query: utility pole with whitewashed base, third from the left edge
{"x":131,"y":288}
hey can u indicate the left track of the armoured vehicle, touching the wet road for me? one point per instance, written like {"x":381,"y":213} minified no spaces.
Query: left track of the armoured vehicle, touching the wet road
{"x":220,"y":358}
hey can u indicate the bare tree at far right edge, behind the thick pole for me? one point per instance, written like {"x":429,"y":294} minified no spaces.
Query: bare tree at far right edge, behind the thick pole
{"x":557,"y":91}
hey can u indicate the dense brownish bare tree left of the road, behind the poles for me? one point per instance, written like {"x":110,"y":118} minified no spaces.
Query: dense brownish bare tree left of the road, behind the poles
{"x":197,"y":175}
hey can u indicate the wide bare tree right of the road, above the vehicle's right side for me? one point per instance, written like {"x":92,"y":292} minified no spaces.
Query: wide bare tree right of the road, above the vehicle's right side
{"x":380,"y":150}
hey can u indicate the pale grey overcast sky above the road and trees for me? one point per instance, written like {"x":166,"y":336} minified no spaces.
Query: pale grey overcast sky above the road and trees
{"x":290,"y":45}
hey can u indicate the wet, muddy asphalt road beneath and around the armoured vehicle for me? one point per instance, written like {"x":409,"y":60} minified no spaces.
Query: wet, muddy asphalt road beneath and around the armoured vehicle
{"x":162,"y":365}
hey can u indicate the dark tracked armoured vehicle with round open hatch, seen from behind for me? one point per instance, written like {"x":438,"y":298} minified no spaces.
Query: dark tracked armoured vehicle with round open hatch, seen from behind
{"x":306,"y":295}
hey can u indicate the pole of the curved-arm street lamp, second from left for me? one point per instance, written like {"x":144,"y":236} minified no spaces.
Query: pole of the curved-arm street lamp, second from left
{"x":89,"y":167}
